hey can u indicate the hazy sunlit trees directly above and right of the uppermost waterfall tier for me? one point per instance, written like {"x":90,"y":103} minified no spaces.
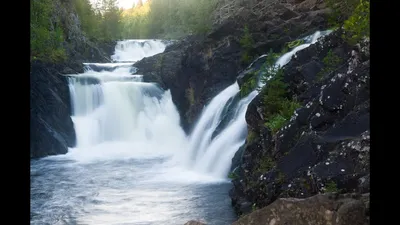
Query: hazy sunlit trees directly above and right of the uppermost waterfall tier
{"x":168,"y":19}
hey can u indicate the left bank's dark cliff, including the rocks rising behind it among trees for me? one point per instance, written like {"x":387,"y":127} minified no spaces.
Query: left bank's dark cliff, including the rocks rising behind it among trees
{"x":52,"y":130}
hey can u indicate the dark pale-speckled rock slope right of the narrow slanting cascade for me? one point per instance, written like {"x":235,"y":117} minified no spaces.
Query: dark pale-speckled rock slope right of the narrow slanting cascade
{"x":325,"y":145}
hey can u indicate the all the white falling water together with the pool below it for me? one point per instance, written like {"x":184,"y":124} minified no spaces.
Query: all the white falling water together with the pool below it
{"x":133,"y":164}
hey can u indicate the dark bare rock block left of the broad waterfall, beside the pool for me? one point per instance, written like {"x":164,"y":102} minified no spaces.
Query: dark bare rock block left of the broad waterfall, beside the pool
{"x":51,"y":127}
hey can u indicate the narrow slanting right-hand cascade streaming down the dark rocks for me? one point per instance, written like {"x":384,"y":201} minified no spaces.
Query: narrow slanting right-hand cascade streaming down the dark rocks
{"x":213,"y":155}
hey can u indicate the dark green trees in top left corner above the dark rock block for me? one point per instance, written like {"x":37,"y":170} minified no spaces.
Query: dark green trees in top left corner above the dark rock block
{"x":47,"y":37}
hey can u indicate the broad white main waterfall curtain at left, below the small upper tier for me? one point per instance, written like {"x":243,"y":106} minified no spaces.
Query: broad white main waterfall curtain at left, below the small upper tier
{"x":122,"y":117}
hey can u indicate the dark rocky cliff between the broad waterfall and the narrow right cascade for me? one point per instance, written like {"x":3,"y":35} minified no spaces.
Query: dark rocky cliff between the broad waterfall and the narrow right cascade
{"x":198,"y":68}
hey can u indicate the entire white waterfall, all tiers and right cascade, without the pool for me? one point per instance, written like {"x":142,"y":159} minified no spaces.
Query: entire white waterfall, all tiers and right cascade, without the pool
{"x":111,"y":106}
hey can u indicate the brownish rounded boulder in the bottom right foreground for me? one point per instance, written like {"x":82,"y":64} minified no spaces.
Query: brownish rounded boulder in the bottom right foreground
{"x":319,"y":209}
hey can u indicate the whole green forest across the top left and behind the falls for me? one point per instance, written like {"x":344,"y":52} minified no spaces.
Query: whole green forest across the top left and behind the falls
{"x":103,"y":20}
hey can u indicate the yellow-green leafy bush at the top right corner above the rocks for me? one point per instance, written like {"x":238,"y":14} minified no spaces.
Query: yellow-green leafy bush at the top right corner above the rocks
{"x":357,"y":26}
